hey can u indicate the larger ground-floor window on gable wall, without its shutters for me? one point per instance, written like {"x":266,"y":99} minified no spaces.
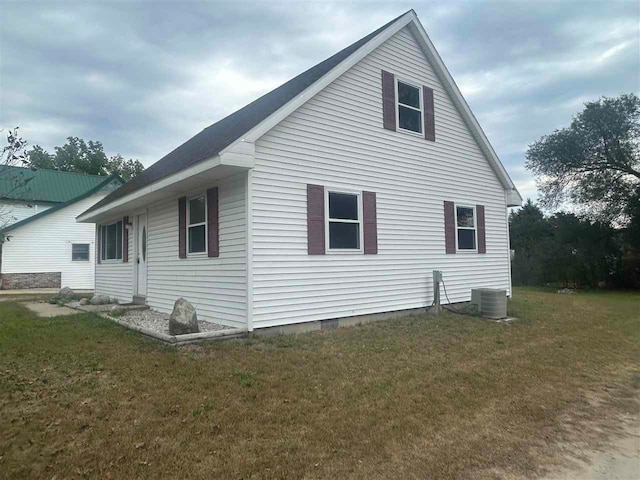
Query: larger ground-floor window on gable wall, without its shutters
{"x":344,"y":221}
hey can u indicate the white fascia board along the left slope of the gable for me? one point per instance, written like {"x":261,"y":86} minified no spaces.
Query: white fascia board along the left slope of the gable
{"x":283,"y":112}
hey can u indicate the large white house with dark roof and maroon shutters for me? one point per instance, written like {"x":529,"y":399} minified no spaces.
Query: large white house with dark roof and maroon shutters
{"x":335,"y":195}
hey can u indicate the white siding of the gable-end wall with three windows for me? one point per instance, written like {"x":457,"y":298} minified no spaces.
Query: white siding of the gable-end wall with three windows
{"x":337,"y":140}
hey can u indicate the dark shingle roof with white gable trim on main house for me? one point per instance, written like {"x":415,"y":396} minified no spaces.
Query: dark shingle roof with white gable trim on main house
{"x":222,"y":134}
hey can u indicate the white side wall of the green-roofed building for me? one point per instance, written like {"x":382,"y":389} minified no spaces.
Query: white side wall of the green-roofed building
{"x":45,"y":245}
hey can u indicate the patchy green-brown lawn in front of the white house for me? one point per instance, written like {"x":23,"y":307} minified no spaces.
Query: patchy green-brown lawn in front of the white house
{"x":418,"y":397}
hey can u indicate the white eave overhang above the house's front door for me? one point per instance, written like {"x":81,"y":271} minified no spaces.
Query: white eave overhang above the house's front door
{"x":186,"y":181}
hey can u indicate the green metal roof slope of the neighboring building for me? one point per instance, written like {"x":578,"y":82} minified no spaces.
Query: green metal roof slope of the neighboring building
{"x":52,"y":186}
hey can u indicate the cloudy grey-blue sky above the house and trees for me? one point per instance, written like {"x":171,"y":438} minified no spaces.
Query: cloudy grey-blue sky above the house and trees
{"x":144,"y":76}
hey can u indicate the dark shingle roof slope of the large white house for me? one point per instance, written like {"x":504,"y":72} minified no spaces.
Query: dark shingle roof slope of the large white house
{"x":216,"y":137}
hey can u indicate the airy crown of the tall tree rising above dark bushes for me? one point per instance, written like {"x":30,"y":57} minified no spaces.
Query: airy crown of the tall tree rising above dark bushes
{"x":595,"y":162}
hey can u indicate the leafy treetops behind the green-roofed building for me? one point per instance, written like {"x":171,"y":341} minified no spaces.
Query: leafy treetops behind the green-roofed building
{"x":85,"y":157}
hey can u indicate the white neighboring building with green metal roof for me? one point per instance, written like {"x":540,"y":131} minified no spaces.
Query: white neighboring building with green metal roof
{"x":42,"y":245}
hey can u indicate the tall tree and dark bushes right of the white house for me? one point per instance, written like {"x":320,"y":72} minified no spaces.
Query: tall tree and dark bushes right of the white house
{"x":594,"y":166}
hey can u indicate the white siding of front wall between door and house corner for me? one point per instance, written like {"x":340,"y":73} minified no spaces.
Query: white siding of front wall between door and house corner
{"x":216,"y":286}
